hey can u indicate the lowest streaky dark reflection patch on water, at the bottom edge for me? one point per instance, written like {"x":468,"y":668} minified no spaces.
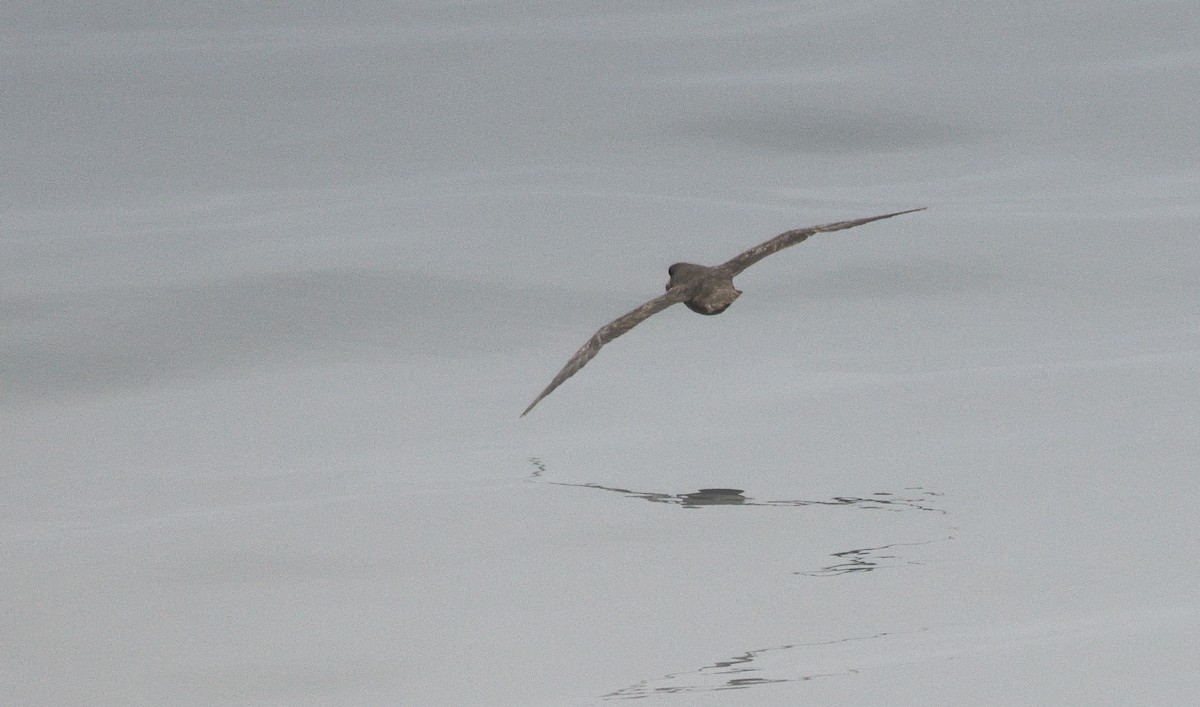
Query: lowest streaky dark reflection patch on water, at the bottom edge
{"x":731,"y":674}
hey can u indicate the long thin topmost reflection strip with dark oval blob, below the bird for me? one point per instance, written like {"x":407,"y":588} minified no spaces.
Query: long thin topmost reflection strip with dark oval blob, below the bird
{"x":913,"y":499}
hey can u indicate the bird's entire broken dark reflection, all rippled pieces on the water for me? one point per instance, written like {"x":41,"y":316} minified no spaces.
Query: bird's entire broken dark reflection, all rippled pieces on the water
{"x":736,"y":673}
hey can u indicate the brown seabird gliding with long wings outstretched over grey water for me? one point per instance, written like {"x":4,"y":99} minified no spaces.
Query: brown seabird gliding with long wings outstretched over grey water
{"x":705,"y":290}
